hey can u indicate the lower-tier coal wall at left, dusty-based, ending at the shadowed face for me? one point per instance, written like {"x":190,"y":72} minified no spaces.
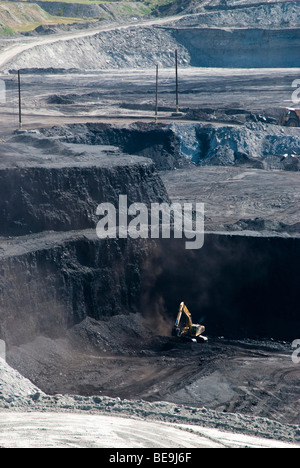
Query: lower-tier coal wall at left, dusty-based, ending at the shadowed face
{"x":52,"y":282}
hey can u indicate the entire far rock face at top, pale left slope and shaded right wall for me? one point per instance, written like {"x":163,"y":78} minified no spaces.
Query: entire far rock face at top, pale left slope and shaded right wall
{"x":201,"y":40}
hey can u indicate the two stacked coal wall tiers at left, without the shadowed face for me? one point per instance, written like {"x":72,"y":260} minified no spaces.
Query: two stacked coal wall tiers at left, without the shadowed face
{"x":51,"y":280}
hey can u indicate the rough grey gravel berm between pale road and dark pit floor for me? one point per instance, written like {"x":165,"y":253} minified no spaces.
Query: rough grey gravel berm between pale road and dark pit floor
{"x":17,"y":394}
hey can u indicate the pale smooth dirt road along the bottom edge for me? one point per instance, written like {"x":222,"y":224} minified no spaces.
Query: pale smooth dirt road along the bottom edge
{"x":60,"y":430}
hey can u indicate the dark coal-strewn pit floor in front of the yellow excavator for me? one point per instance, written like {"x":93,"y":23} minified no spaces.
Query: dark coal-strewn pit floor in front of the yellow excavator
{"x":257,"y":378}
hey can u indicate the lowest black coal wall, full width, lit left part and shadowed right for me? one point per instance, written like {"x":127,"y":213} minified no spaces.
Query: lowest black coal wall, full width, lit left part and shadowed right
{"x":238,"y":286}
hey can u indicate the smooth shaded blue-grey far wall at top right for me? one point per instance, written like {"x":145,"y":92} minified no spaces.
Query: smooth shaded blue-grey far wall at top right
{"x":240,"y":48}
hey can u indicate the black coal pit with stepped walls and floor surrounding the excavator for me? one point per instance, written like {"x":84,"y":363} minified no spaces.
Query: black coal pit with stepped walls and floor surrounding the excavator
{"x":85,"y":316}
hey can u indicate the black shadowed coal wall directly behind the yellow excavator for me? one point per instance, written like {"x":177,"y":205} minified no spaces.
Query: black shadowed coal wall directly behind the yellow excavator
{"x":236,"y":286}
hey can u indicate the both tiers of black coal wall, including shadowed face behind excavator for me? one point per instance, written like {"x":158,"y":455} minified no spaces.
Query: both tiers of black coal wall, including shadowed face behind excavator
{"x":242,"y":285}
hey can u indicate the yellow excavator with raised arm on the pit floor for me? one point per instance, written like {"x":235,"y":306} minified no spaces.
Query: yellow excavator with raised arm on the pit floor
{"x":191,"y":331}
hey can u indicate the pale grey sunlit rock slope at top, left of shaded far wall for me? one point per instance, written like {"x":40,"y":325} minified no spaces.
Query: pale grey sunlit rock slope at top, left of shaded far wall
{"x":107,"y":50}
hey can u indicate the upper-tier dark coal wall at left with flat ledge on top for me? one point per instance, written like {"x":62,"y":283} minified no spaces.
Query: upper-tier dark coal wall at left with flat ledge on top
{"x":64,"y":197}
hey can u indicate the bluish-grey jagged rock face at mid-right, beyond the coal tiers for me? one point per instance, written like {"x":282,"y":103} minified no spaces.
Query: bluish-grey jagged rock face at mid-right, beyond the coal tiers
{"x":255,"y":144}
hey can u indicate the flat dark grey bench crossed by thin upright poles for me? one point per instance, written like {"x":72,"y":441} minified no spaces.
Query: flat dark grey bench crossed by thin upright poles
{"x":129,"y":95}
